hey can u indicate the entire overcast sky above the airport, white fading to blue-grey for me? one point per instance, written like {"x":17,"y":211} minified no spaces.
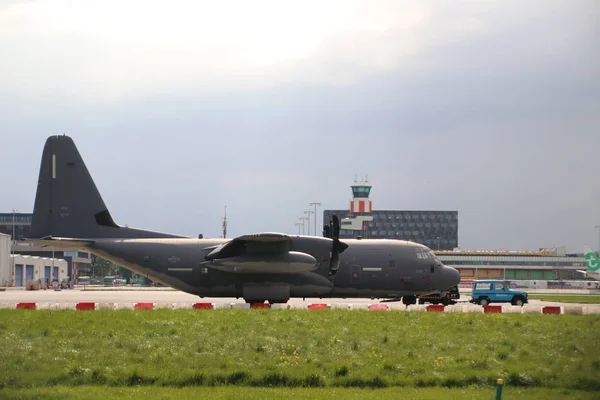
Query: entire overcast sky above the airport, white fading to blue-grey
{"x":182,"y":107}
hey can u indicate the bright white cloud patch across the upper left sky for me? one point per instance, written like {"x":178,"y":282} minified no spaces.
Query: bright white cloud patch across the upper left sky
{"x":109,"y":50}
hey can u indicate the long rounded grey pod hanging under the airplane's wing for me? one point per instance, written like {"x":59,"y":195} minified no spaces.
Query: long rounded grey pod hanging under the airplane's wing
{"x":290,"y":262}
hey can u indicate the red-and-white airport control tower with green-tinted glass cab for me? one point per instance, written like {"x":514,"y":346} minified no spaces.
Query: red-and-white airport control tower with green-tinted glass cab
{"x":360,"y":209}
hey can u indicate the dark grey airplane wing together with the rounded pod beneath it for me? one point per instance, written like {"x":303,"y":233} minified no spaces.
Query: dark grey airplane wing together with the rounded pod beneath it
{"x":261,"y":253}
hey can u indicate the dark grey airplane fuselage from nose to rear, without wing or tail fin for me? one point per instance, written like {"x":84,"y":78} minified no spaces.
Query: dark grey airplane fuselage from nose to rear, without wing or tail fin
{"x":367,"y":268}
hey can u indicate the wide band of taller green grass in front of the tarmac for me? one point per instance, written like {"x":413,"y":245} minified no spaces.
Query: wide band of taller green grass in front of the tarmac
{"x":297,"y":348}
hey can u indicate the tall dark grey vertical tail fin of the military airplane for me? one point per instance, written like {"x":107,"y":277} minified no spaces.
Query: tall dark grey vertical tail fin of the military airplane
{"x":68,"y":203}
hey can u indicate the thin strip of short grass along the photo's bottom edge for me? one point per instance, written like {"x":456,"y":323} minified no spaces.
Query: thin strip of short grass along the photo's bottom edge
{"x":152,"y":392}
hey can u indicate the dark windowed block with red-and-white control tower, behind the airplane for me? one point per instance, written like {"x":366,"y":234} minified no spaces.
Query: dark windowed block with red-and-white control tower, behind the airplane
{"x":437,"y":230}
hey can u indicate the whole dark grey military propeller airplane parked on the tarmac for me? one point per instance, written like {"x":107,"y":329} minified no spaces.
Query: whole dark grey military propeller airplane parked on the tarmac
{"x":70,"y":213}
